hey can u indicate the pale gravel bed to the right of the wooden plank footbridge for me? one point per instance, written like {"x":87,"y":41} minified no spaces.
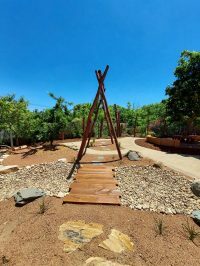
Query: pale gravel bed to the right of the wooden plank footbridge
{"x":155,"y":189}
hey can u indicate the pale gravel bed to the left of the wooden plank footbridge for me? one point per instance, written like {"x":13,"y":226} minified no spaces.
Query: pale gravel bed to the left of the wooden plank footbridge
{"x":50,"y":177}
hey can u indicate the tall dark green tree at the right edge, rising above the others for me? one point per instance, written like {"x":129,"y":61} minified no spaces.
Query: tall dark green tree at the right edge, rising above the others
{"x":183,"y":103}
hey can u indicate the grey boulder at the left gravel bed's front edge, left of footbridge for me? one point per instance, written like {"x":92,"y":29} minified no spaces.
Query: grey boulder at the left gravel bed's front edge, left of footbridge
{"x":27,"y":195}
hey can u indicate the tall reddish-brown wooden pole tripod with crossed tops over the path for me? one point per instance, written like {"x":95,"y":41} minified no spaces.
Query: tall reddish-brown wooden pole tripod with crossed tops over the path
{"x":99,"y":100}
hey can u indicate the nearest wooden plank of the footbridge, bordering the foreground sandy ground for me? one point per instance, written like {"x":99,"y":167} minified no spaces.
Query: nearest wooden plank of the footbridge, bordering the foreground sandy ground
{"x":92,"y":199}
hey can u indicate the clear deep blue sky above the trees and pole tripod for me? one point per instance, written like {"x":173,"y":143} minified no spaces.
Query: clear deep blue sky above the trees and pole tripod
{"x":55,"y":46}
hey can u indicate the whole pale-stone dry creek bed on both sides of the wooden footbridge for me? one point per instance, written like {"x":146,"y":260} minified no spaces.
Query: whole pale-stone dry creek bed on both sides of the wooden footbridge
{"x":142,"y":187}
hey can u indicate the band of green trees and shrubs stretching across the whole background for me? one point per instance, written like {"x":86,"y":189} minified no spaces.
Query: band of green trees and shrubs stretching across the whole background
{"x":178,"y":114}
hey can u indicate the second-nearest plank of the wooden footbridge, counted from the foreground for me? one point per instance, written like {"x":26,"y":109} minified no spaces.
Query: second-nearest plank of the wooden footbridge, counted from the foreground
{"x":94,"y":191}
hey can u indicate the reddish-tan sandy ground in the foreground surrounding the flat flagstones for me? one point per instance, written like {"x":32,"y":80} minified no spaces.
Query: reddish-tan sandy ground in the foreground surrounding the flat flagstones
{"x":29,"y":238}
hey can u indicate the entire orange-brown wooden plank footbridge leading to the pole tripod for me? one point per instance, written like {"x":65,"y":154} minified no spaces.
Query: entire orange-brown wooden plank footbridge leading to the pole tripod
{"x":94,"y":185}
